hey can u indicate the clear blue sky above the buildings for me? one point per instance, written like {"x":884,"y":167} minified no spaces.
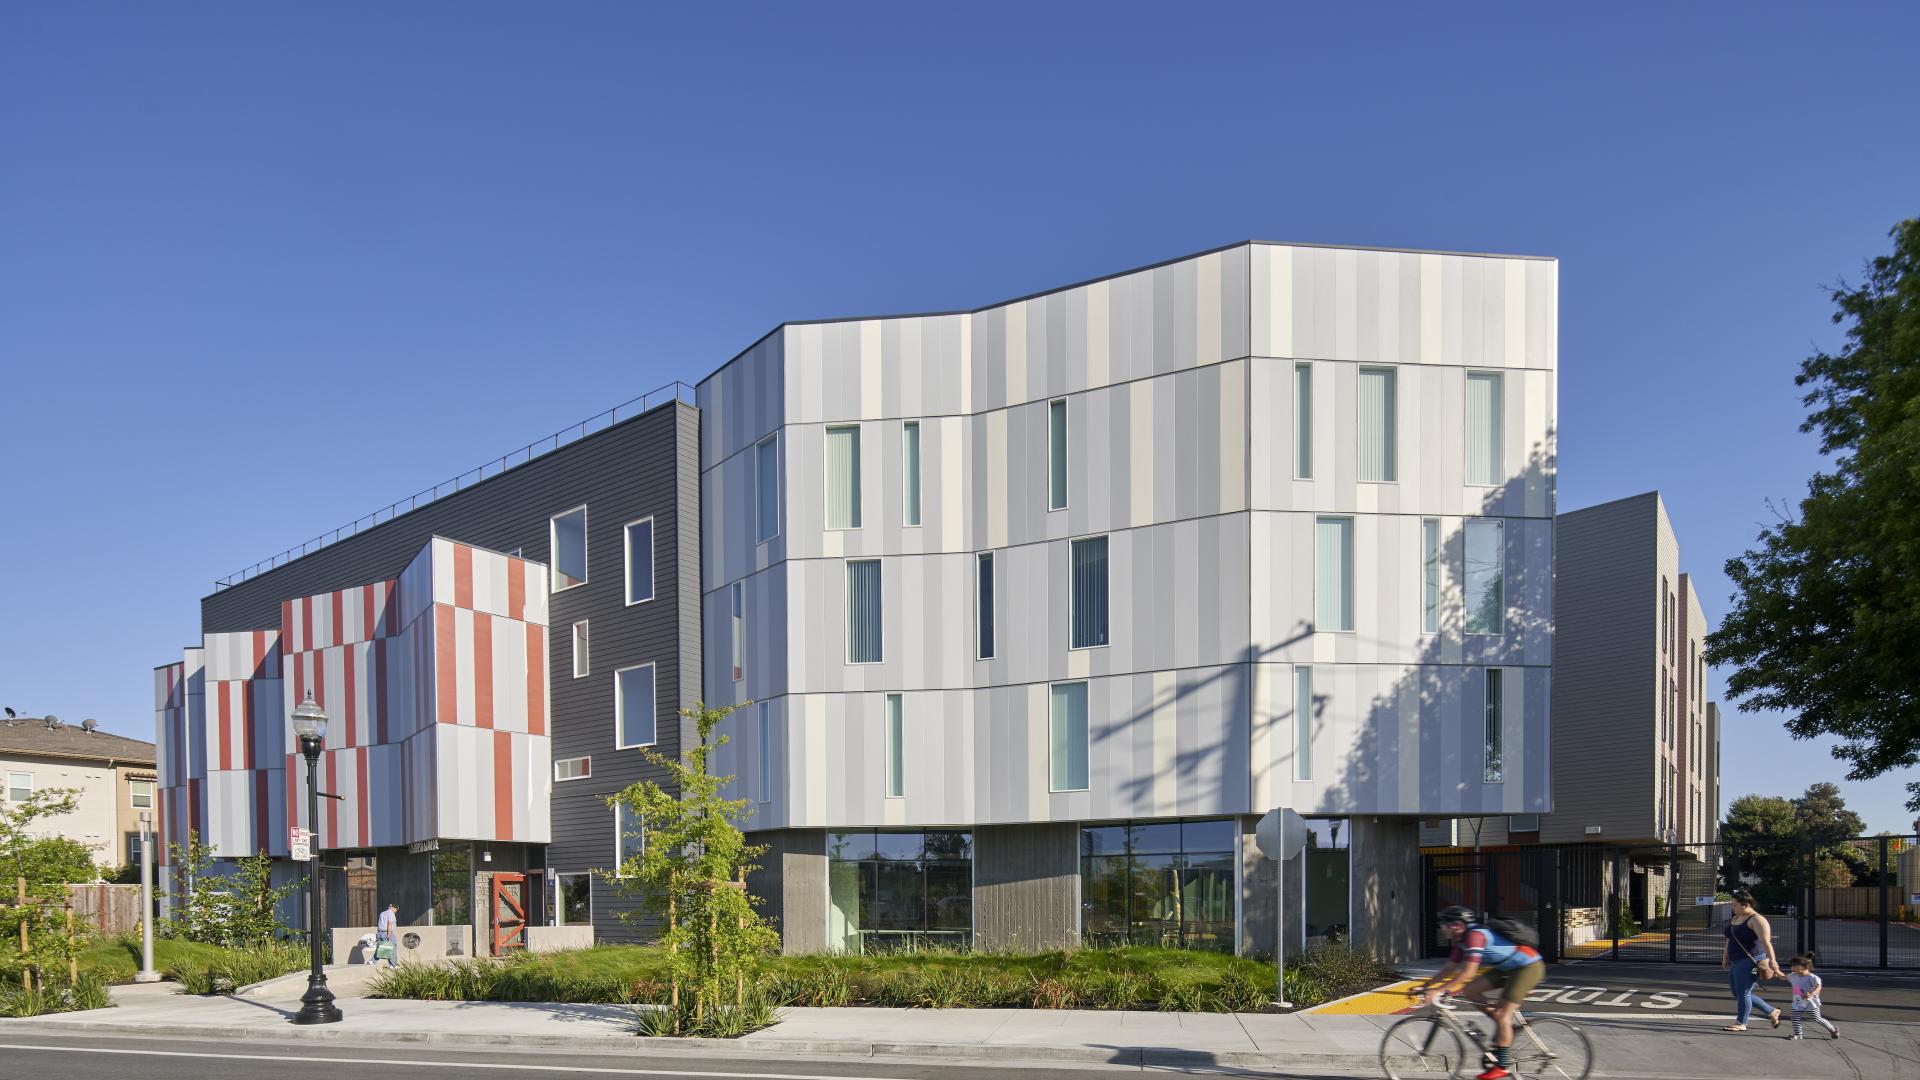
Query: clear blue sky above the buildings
{"x":268,"y":266}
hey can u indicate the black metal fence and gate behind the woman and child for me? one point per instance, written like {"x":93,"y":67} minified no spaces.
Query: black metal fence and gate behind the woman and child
{"x":1844,"y":900}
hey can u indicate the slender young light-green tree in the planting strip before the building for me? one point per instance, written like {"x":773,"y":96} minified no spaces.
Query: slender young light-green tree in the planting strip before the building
{"x":690,"y":873}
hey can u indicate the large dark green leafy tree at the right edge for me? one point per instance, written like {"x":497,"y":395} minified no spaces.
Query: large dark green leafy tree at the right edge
{"x":1827,"y":608}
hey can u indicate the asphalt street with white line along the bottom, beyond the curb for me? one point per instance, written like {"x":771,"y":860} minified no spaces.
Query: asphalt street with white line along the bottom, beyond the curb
{"x":91,"y":1058}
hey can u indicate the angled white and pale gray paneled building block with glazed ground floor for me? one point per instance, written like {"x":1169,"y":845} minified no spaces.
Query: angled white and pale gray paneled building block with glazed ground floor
{"x":1040,"y":606}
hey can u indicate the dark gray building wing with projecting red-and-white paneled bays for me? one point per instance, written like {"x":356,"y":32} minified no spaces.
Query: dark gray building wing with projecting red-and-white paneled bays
{"x":492,"y":654}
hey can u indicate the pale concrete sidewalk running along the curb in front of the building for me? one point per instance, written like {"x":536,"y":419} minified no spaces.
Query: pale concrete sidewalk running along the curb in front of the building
{"x":1650,"y":1048}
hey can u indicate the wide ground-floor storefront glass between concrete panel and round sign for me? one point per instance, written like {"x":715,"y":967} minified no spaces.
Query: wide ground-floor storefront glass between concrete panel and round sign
{"x":1163,"y":883}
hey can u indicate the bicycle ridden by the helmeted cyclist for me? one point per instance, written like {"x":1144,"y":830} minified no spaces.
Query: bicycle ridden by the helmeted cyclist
{"x":1435,"y":1043}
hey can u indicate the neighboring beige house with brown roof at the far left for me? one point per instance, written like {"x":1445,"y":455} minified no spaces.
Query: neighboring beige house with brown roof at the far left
{"x":114,"y":777}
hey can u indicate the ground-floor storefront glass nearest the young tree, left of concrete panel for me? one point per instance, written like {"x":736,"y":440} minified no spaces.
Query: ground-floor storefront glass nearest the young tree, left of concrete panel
{"x":900,"y":891}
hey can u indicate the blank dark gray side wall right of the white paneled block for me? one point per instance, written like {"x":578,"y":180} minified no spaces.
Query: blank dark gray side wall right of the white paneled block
{"x":1606,"y":641}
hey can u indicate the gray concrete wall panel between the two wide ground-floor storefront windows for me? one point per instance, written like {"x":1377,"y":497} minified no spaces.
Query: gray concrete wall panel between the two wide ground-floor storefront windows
{"x":1026,"y":887}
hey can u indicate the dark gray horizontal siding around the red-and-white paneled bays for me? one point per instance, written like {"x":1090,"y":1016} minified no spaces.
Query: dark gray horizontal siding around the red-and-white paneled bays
{"x":640,"y":468}
